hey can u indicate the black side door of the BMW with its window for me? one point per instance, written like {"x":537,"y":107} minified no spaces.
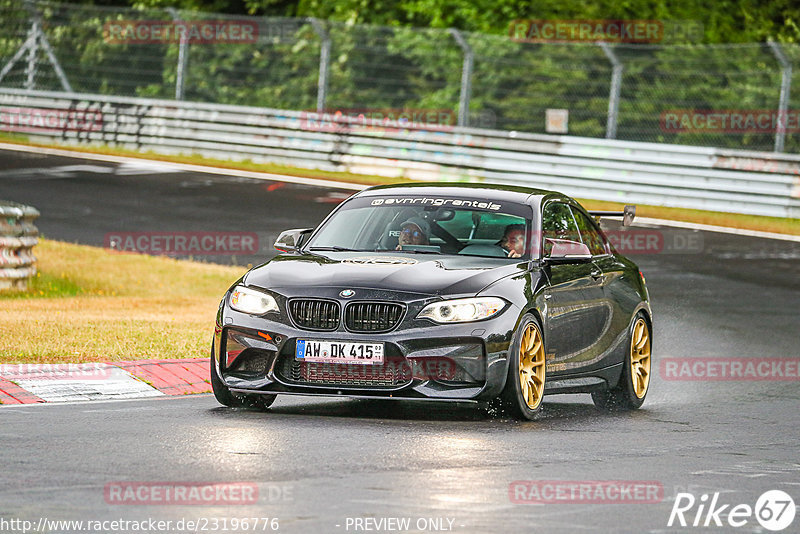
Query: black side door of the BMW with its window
{"x":571,"y":297}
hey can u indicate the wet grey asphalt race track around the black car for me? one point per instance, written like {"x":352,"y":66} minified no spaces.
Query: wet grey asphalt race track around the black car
{"x":320,"y":462}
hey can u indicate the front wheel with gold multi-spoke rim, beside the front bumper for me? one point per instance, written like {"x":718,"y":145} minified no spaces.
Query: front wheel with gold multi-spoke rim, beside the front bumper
{"x":524,"y":389}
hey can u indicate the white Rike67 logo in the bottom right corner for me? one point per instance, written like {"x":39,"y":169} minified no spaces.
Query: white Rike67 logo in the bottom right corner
{"x":774,"y":510}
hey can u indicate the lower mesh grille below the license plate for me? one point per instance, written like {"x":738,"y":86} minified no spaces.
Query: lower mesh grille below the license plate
{"x":392,"y":373}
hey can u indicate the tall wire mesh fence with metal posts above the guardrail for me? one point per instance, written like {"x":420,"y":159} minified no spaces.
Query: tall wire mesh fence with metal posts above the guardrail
{"x":485,"y":81}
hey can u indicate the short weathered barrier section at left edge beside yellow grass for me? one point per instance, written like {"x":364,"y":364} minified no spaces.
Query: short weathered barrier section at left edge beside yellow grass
{"x":18,"y":236}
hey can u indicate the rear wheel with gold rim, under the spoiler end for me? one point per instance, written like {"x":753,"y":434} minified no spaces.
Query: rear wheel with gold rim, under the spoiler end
{"x":634,"y":382}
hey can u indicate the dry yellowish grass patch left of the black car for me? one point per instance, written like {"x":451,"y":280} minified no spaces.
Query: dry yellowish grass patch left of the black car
{"x":90,"y":304}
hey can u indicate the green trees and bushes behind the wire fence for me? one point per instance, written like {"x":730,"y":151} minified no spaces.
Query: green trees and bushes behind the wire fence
{"x":401,"y":55}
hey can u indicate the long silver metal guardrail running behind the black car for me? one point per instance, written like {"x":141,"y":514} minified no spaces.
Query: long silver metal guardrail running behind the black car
{"x":758,"y":183}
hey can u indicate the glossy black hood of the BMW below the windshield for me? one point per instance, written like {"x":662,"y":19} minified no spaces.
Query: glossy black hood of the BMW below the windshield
{"x":412,"y":273}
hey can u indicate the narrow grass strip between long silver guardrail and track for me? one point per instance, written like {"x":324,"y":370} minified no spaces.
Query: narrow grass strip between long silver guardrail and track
{"x":732,"y":220}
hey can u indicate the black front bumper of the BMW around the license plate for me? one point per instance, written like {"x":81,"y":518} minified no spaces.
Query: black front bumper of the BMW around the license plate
{"x":423,"y":360}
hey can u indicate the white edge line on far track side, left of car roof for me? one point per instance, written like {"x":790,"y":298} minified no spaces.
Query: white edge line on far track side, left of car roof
{"x":185,"y":167}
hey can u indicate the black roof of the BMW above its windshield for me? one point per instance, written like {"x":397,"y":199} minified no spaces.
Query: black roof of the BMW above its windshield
{"x":504,"y":192}
